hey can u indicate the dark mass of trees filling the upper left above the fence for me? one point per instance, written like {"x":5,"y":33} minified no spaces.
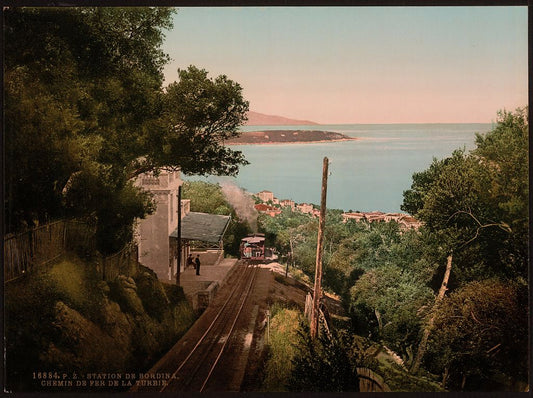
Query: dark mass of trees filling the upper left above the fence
{"x":86,"y":113}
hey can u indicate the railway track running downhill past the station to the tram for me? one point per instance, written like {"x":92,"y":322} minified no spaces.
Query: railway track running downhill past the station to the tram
{"x":194,"y":365}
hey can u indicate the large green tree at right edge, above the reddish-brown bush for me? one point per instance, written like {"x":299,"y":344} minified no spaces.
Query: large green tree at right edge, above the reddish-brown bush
{"x":476,"y":203}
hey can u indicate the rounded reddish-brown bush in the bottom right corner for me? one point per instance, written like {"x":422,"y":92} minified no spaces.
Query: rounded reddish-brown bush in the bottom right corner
{"x":480,"y":331}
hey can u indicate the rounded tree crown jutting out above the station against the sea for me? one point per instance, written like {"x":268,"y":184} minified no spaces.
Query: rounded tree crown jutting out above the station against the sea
{"x":198,"y":115}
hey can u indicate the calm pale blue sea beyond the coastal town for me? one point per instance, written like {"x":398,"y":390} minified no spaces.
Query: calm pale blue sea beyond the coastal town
{"x":368,"y":174}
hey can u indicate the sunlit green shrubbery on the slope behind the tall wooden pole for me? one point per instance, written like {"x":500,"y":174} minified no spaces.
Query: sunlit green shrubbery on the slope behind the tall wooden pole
{"x":381,"y":272}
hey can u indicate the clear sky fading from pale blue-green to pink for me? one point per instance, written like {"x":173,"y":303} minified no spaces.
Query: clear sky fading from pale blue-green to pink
{"x":335,"y":65}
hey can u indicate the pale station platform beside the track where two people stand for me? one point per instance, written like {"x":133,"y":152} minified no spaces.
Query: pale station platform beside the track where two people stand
{"x":200,"y":289}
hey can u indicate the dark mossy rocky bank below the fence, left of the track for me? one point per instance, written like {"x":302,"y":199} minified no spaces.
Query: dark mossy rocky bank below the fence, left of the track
{"x":66,"y":319}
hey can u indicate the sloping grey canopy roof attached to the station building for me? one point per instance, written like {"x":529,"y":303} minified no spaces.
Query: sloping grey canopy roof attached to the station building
{"x":203,"y":227}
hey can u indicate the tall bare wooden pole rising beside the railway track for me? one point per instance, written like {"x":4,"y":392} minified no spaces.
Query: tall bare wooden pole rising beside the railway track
{"x":319,"y":250}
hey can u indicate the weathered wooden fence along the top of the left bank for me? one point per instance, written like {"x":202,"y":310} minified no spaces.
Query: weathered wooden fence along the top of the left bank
{"x":35,"y":248}
